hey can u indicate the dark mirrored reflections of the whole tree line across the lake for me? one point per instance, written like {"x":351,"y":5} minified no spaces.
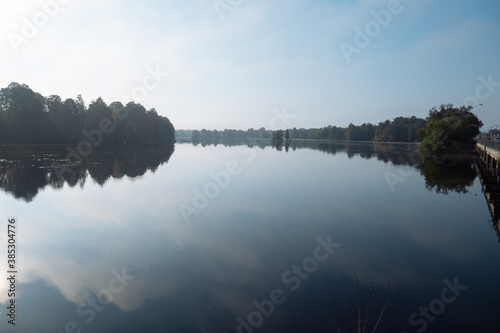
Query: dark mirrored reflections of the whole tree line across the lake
{"x":24,"y":171}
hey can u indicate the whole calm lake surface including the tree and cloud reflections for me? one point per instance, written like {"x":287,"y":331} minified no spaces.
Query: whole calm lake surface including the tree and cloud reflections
{"x":246,"y":239}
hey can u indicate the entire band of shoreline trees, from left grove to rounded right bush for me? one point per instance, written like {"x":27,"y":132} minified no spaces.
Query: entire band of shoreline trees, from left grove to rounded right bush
{"x":28,"y":118}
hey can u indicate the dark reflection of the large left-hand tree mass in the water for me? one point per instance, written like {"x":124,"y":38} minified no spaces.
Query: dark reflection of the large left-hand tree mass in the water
{"x":23,"y":172}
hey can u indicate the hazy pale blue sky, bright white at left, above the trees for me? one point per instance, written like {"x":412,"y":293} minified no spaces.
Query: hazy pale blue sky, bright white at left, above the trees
{"x":327,"y":62}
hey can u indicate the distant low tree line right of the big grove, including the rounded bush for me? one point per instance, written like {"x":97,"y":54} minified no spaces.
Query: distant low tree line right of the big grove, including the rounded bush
{"x":448,"y":132}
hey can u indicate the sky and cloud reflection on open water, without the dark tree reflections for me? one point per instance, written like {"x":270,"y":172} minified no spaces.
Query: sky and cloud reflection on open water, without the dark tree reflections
{"x":203,"y":276}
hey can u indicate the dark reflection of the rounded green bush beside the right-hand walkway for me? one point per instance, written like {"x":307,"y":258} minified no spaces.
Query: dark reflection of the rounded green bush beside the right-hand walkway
{"x":448,"y":175}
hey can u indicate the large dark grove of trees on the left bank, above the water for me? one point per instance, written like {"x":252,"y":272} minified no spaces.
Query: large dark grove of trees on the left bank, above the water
{"x":27,"y":117}
